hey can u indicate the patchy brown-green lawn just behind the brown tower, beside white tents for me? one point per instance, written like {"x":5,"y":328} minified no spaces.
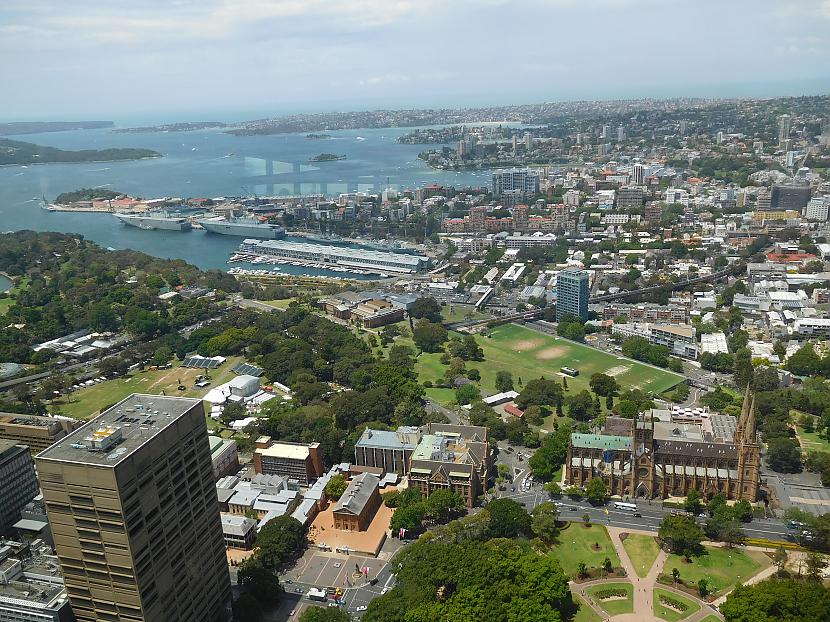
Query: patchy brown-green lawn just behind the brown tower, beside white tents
{"x":90,"y":400}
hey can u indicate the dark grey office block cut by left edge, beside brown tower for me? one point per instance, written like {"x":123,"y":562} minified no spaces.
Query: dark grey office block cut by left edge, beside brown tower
{"x":18,"y":483}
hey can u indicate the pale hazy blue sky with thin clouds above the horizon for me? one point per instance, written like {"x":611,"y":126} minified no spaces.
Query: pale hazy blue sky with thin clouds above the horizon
{"x":177,"y":60}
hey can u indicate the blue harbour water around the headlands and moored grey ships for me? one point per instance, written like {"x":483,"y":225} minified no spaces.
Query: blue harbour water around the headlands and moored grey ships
{"x":207,"y":164}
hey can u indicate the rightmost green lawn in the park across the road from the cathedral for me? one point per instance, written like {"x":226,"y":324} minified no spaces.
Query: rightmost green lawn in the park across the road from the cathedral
{"x":722,"y":567}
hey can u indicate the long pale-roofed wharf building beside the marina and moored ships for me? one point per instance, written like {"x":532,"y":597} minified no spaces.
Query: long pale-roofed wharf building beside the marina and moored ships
{"x":323,"y":255}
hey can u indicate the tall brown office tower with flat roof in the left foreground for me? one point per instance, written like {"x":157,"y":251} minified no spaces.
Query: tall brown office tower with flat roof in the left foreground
{"x":133,"y":509}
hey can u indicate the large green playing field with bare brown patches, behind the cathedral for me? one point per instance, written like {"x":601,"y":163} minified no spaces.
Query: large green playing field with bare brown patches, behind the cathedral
{"x":529,"y":354}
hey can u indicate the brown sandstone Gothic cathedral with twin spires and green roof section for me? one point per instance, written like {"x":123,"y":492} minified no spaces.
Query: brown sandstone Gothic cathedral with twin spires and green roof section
{"x":666,"y":454}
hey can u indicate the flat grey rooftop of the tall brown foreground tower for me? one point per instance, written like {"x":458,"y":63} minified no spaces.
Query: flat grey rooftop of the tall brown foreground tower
{"x":120,"y":430}
